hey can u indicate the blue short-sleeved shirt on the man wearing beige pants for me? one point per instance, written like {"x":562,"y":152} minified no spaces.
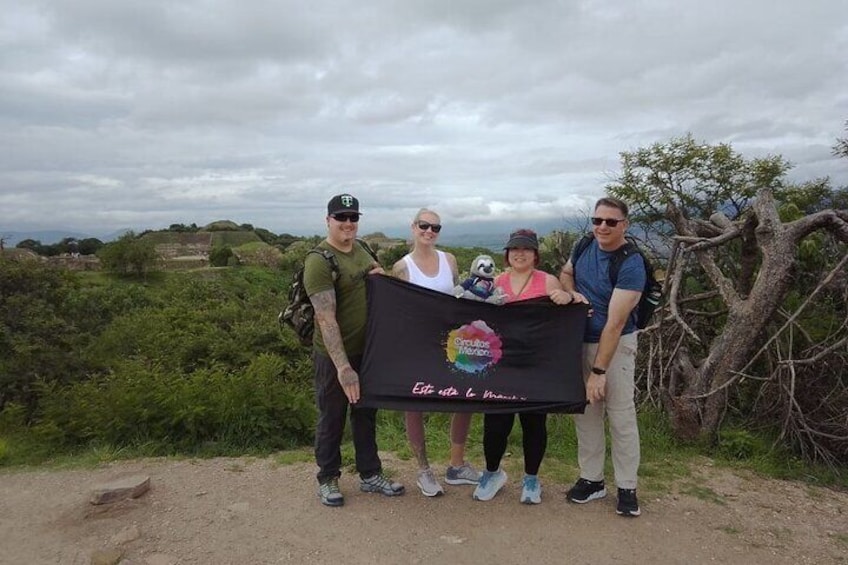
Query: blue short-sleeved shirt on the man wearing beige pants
{"x":591,"y":278}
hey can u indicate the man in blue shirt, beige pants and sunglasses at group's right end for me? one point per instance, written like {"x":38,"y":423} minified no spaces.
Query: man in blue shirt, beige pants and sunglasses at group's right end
{"x":609,"y":358}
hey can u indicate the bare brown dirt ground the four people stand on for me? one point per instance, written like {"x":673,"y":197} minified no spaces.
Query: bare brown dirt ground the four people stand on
{"x":247,"y":511}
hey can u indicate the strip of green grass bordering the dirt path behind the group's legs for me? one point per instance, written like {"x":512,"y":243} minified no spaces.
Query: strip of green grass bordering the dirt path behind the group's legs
{"x":665,"y":461}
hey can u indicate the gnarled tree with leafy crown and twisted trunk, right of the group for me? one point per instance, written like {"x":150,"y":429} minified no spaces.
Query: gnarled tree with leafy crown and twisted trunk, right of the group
{"x":729,"y":251}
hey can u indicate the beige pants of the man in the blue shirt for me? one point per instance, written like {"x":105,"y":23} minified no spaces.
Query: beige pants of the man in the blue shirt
{"x":619,"y":406}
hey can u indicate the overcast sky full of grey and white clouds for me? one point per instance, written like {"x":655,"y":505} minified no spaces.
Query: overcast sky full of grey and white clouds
{"x":140,"y":114}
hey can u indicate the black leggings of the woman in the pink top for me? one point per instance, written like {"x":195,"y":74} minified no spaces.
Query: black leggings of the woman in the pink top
{"x":496,"y":429}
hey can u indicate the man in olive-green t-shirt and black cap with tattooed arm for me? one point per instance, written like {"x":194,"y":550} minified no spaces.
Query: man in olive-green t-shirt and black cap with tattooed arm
{"x":340,"y":309}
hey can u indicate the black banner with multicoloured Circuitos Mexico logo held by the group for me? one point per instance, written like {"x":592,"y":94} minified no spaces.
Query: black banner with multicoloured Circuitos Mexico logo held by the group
{"x":428,"y":351}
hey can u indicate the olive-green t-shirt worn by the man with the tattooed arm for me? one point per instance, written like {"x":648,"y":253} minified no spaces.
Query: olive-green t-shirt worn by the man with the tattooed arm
{"x":350,"y":293}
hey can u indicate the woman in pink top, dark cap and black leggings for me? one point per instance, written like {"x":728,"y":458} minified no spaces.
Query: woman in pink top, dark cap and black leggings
{"x":521,"y":281}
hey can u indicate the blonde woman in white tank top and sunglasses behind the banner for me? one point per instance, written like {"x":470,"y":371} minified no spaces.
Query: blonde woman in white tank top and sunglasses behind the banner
{"x":431,"y":268}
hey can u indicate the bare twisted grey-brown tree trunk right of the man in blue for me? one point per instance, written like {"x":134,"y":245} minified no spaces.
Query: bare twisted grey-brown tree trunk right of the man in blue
{"x":697,"y":394}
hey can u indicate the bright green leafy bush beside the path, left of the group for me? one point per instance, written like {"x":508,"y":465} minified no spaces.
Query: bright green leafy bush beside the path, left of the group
{"x":266,"y":406}
